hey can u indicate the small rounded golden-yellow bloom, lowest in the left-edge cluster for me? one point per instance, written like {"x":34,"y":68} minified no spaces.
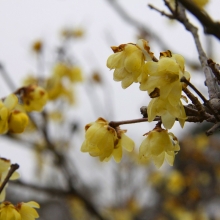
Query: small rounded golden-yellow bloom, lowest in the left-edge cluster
{"x":18,"y":121}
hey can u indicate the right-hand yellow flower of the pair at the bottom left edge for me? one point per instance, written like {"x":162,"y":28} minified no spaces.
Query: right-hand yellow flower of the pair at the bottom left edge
{"x":27,"y":210}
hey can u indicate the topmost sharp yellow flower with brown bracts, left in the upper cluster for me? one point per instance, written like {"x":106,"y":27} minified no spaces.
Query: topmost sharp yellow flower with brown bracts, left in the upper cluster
{"x":128,"y":61}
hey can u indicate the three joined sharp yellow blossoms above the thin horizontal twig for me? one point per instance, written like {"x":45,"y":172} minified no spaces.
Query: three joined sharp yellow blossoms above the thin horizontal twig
{"x":160,"y":78}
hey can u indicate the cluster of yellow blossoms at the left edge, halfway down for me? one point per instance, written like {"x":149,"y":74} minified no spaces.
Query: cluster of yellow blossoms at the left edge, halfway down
{"x":14,"y":108}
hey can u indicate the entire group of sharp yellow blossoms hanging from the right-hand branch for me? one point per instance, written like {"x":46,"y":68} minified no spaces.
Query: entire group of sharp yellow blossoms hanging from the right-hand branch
{"x":161,"y":78}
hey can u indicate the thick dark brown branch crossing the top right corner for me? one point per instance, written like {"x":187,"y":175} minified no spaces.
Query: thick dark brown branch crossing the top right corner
{"x":210,"y":26}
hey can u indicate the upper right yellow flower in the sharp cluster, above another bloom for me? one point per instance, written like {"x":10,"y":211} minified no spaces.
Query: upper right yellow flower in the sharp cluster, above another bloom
{"x":165,"y":75}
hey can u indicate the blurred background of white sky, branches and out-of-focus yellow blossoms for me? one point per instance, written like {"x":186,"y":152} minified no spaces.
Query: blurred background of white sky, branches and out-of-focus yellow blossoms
{"x":41,"y":39}
